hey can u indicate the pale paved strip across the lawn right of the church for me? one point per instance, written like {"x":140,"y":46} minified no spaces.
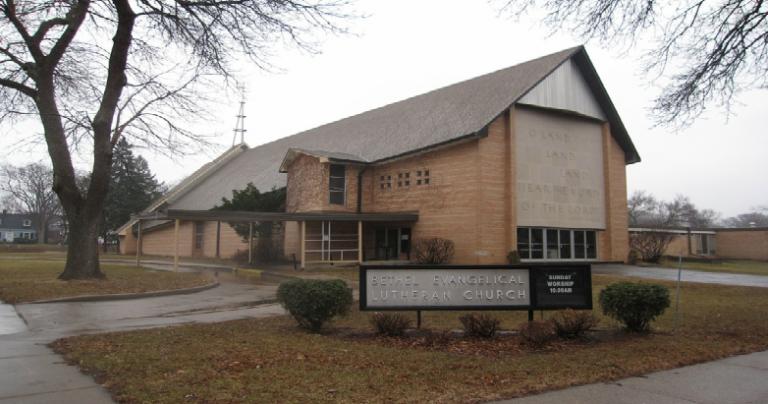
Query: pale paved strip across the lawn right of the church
{"x":688,"y":275}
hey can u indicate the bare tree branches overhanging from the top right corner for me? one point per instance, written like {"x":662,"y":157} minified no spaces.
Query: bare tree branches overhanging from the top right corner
{"x":715,"y":48}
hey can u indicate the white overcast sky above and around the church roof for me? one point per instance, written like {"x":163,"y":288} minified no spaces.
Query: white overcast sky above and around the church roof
{"x":404,"y":48}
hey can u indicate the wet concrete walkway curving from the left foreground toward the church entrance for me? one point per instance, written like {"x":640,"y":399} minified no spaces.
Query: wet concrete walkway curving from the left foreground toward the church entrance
{"x":33,"y":373}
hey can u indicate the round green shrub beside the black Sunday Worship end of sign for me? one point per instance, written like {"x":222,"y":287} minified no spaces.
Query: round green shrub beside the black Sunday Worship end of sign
{"x":634,"y":304}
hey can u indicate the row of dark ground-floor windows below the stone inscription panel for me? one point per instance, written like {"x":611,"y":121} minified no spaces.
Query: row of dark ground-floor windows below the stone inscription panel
{"x":556,"y":244}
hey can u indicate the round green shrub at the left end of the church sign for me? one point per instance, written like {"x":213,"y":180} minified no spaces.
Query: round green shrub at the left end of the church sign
{"x":313,"y":302}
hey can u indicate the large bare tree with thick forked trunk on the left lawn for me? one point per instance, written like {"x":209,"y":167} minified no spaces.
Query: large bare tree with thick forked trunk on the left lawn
{"x":95,"y":71}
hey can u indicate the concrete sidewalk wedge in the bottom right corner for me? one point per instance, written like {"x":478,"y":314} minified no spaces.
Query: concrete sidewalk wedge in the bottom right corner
{"x":735,"y":380}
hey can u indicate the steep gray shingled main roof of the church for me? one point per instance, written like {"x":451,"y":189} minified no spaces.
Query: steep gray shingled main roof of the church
{"x":421,"y":122}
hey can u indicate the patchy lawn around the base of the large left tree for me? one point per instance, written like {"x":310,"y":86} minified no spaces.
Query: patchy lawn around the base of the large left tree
{"x":27,"y":279}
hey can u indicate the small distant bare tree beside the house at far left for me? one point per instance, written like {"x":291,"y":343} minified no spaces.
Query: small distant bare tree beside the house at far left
{"x":31,"y":186}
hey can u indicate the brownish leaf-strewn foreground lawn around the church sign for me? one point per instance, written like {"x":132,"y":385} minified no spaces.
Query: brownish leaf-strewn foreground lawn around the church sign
{"x":270,"y":360}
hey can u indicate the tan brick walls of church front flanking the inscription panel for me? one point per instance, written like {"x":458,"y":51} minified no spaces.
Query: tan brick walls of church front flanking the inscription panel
{"x":469,"y":198}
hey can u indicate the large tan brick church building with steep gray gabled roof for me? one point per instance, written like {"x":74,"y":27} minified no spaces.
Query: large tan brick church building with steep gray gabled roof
{"x":530,"y":159}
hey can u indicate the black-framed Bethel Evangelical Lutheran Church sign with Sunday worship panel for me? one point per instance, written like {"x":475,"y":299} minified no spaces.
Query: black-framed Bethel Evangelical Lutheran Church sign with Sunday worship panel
{"x":489,"y":287}
